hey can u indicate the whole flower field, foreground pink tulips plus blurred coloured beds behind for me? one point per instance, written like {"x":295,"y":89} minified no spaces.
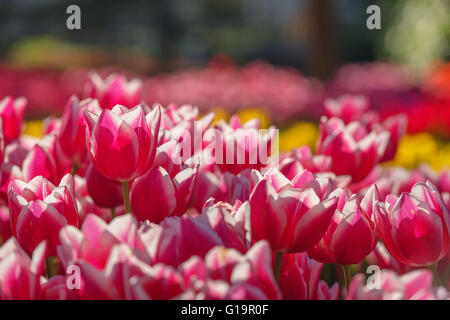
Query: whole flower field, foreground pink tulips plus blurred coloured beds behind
{"x":225,"y":183}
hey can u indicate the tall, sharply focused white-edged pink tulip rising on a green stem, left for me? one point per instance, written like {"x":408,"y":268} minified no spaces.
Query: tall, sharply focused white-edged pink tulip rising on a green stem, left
{"x":122,"y":142}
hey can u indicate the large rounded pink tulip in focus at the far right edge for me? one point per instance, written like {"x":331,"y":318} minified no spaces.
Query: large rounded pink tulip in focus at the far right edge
{"x":415,"y":227}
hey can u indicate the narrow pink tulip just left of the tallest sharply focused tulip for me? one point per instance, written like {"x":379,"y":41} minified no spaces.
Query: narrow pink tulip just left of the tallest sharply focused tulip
{"x":72,"y":132}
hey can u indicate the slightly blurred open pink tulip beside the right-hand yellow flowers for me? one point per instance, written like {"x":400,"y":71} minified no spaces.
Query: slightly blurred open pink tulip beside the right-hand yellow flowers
{"x":354,"y":151}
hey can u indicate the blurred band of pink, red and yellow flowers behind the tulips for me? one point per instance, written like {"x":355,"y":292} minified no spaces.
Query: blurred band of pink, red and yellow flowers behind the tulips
{"x":274,"y":95}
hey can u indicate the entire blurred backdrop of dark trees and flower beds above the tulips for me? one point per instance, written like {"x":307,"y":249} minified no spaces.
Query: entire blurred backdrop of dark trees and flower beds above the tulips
{"x":276,"y":60}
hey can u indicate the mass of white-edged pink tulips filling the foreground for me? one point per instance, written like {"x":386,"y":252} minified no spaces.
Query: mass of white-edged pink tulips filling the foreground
{"x":105,"y":206}
